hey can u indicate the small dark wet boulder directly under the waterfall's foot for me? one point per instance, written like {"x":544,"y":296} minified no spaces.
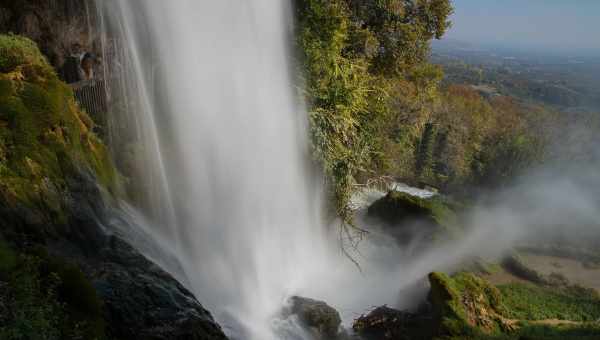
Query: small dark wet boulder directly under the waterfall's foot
{"x":318,"y":317}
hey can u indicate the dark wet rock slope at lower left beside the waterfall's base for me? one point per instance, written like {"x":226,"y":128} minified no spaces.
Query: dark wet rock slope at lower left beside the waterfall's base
{"x":141,"y":301}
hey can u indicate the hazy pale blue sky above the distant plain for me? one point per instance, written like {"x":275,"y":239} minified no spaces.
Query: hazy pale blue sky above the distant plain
{"x":534,"y":23}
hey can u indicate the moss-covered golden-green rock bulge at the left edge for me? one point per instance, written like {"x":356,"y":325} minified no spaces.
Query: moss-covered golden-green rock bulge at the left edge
{"x":45,"y":138}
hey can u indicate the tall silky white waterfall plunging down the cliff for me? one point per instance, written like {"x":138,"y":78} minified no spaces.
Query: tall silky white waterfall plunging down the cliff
{"x":220,"y":147}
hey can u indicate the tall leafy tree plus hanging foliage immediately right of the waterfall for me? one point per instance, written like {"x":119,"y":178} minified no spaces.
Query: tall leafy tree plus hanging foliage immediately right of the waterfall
{"x":351,"y":54}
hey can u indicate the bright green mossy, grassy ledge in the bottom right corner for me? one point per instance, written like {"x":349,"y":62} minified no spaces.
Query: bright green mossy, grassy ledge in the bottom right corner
{"x":468,"y":307}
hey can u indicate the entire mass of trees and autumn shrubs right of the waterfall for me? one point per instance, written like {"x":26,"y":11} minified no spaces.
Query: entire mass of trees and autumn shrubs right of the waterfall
{"x":377,"y":106}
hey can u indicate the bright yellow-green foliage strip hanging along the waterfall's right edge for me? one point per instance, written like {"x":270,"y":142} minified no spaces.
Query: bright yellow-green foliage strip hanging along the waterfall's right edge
{"x":343,"y":96}
